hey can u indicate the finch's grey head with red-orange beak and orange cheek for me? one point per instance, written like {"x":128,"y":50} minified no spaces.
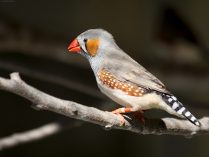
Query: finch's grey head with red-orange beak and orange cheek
{"x":94,"y":44}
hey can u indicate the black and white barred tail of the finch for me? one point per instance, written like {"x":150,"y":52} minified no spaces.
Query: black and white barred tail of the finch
{"x":179,"y":108}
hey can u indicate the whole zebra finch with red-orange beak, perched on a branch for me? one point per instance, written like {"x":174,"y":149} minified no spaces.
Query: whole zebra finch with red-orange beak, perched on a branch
{"x":124,"y":80}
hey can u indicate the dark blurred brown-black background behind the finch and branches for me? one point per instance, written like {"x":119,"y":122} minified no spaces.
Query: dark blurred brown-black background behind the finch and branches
{"x":170,"y":38}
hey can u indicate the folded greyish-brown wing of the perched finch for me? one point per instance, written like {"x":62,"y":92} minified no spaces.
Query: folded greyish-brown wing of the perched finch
{"x":127,"y":70}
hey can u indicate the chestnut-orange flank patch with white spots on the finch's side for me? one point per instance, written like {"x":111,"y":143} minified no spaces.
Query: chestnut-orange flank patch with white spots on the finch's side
{"x":108,"y":79}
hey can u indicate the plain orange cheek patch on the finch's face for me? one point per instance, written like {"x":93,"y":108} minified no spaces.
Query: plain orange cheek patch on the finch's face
{"x":92,"y":46}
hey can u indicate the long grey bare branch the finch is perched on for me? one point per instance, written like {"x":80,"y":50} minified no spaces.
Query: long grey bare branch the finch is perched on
{"x":75,"y":110}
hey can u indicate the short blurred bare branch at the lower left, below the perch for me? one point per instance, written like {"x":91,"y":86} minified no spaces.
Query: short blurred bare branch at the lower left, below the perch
{"x":35,"y":134}
